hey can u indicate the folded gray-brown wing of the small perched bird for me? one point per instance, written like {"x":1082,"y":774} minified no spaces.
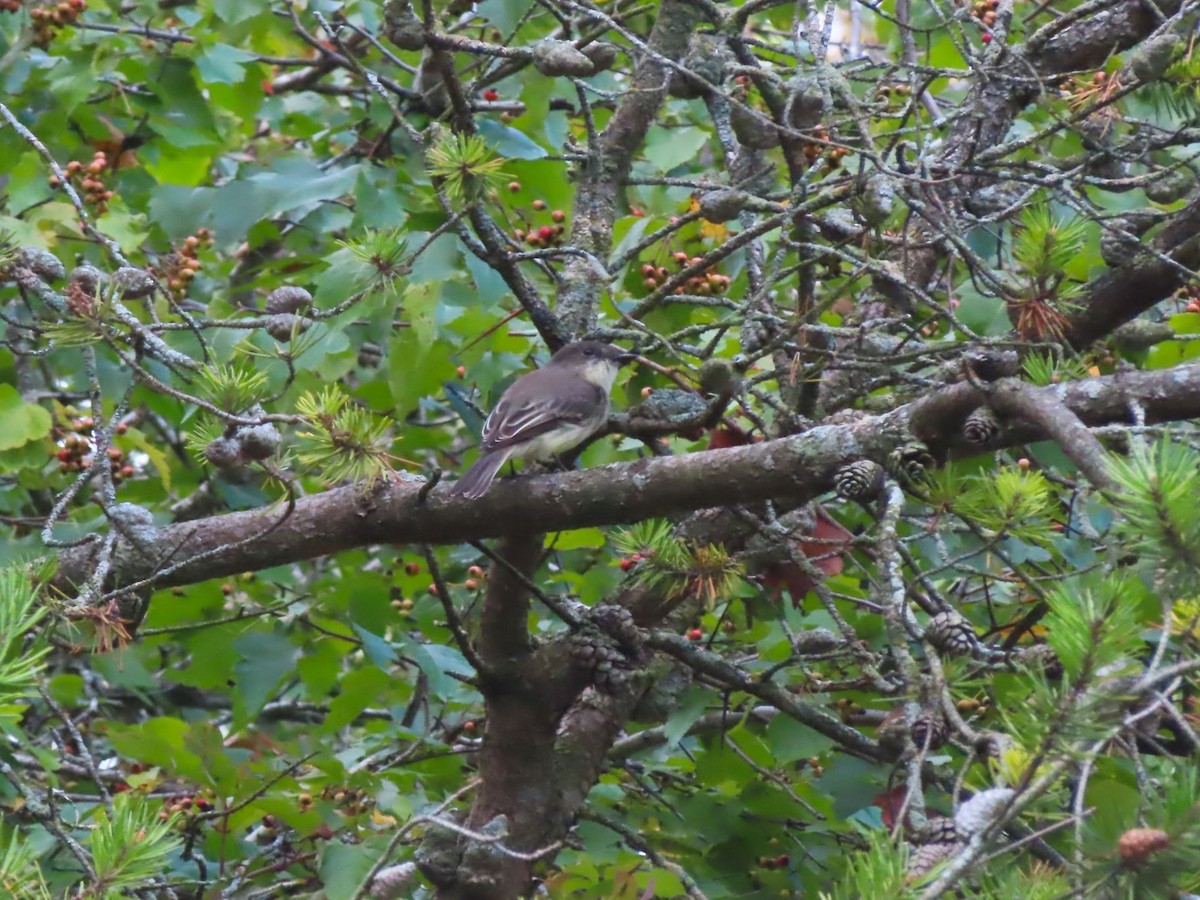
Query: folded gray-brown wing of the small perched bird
{"x":541,"y":409}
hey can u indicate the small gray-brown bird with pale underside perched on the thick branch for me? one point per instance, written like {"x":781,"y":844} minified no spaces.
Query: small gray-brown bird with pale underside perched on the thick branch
{"x":548,"y":412}
